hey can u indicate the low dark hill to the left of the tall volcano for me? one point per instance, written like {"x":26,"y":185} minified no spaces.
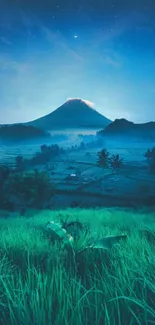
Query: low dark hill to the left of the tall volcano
{"x":20,"y":133}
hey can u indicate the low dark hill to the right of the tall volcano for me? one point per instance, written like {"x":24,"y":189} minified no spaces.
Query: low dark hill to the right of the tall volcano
{"x":122,"y":128}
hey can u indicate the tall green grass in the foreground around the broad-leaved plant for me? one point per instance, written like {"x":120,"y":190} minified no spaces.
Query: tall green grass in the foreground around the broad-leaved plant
{"x":40,"y":284}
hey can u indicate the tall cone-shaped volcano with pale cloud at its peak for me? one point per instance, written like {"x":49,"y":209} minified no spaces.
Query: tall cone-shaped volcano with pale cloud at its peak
{"x":75,"y":113}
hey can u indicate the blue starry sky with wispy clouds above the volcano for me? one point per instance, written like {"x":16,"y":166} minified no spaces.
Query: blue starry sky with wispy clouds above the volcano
{"x":100,"y":50}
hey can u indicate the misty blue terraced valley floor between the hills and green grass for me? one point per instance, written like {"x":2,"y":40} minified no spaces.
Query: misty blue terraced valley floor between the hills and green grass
{"x":79,"y":181}
